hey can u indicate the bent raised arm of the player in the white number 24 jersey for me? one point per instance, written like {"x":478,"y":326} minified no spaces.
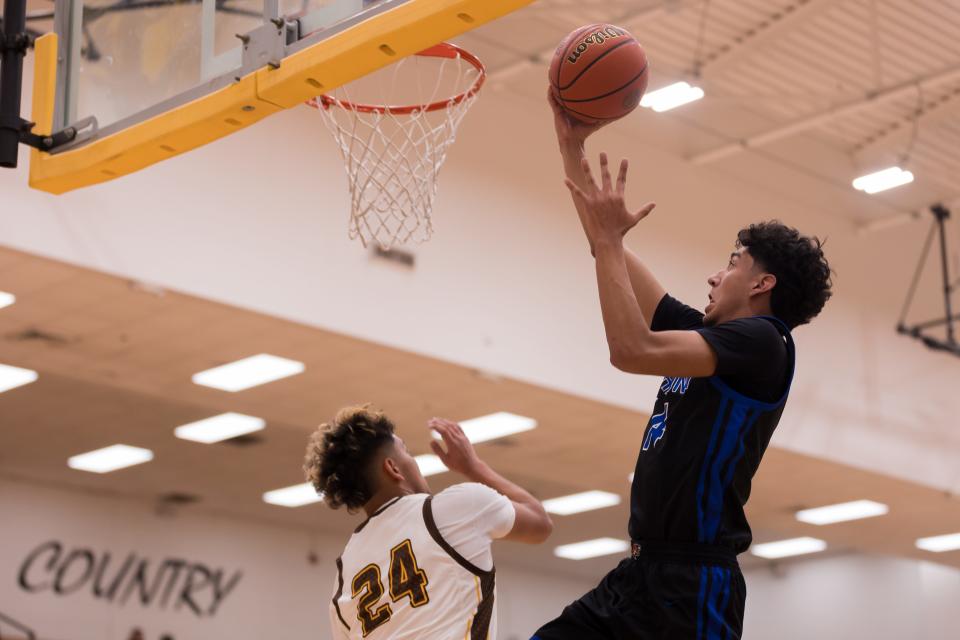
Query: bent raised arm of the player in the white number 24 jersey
{"x":531,"y":524}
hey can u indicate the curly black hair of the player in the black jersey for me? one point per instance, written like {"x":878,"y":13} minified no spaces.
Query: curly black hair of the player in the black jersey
{"x":797,"y":261}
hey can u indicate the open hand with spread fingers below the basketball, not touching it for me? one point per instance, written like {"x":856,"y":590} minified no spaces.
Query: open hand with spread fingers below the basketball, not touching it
{"x":607,"y":217}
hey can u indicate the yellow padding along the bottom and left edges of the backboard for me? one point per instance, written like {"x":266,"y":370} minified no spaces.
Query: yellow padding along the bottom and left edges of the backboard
{"x":349,"y":55}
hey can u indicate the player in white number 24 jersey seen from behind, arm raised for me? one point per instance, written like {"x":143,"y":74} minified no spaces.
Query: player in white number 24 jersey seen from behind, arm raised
{"x":420,"y":566}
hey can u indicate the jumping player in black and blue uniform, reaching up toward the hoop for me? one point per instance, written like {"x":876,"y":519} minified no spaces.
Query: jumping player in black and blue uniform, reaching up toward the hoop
{"x":727,"y":373}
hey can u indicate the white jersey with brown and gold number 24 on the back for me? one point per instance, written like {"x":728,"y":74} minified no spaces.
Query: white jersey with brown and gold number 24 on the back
{"x":400,"y":578}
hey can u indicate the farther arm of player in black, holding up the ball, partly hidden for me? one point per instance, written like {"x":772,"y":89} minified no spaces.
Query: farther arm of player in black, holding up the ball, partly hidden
{"x":572,"y":136}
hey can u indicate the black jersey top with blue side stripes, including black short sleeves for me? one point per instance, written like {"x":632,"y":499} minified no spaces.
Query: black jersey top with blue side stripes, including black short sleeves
{"x":706,"y":436}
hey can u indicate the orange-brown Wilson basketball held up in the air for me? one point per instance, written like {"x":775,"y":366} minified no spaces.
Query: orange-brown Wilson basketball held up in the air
{"x":599,"y":73}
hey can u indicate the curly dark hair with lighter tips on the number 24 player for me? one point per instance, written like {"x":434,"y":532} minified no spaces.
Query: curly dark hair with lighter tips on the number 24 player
{"x":339,"y":455}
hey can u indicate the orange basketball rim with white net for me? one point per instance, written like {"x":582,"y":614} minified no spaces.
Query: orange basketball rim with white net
{"x":393,"y":154}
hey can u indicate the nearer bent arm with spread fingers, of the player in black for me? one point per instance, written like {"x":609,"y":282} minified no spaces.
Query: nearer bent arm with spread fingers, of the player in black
{"x":634,"y":347}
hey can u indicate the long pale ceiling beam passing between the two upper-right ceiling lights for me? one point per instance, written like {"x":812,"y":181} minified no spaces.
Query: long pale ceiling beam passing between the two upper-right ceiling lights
{"x":871,"y":99}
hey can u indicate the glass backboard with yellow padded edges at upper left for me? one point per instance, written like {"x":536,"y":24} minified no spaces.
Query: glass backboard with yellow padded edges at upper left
{"x":141,"y":80}
